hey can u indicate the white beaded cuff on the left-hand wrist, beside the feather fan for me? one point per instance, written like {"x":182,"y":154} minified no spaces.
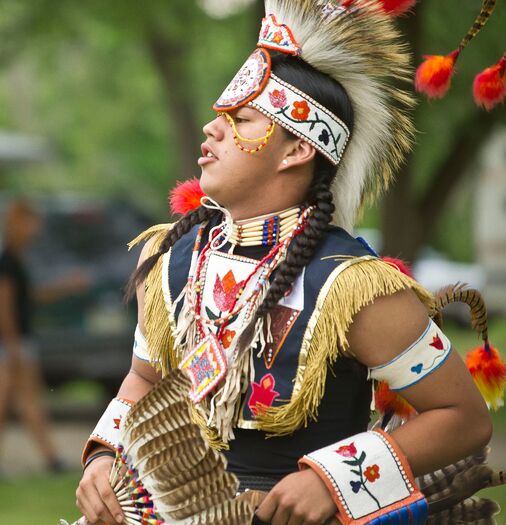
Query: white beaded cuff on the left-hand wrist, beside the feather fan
{"x":106,"y":433}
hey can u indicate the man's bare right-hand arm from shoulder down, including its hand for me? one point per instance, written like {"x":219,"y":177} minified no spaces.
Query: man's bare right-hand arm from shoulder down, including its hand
{"x":447,"y":401}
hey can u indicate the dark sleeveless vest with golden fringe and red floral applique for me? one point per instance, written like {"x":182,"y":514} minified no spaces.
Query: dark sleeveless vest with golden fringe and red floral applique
{"x":303,"y":386}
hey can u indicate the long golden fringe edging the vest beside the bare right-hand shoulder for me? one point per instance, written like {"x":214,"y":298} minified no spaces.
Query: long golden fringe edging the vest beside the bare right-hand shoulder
{"x":358,"y":283}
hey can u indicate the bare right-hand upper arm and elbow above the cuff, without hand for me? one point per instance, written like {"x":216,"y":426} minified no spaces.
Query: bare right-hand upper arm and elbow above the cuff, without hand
{"x":447,"y":399}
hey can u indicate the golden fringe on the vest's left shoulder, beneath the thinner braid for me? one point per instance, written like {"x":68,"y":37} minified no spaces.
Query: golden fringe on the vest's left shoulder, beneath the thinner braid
{"x":158,"y":332}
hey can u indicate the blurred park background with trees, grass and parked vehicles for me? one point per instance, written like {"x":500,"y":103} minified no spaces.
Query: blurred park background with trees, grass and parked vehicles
{"x":101,"y":110}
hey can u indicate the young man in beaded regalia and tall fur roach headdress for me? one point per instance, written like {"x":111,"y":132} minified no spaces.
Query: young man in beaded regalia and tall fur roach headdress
{"x":281,"y":318}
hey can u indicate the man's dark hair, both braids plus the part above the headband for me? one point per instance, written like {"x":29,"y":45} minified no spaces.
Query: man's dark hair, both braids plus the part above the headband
{"x":331,"y":95}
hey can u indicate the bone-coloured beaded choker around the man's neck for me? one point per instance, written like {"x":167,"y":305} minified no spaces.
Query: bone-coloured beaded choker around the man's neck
{"x":265,"y":230}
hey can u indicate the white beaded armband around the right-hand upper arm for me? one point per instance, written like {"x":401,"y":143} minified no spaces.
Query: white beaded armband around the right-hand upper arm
{"x":424,"y":356}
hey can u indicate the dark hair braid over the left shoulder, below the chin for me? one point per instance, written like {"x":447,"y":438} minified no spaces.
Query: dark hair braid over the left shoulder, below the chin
{"x":180,"y":228}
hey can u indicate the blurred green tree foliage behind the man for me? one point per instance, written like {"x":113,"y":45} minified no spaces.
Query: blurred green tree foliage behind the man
{"x":82,"y":76}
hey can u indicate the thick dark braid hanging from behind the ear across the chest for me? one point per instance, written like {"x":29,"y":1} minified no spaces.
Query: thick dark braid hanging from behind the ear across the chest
{"x":302,"y":247}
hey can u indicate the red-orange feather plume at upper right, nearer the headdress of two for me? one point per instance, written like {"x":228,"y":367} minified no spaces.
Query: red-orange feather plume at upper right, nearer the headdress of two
{"x":433,"y":77}
